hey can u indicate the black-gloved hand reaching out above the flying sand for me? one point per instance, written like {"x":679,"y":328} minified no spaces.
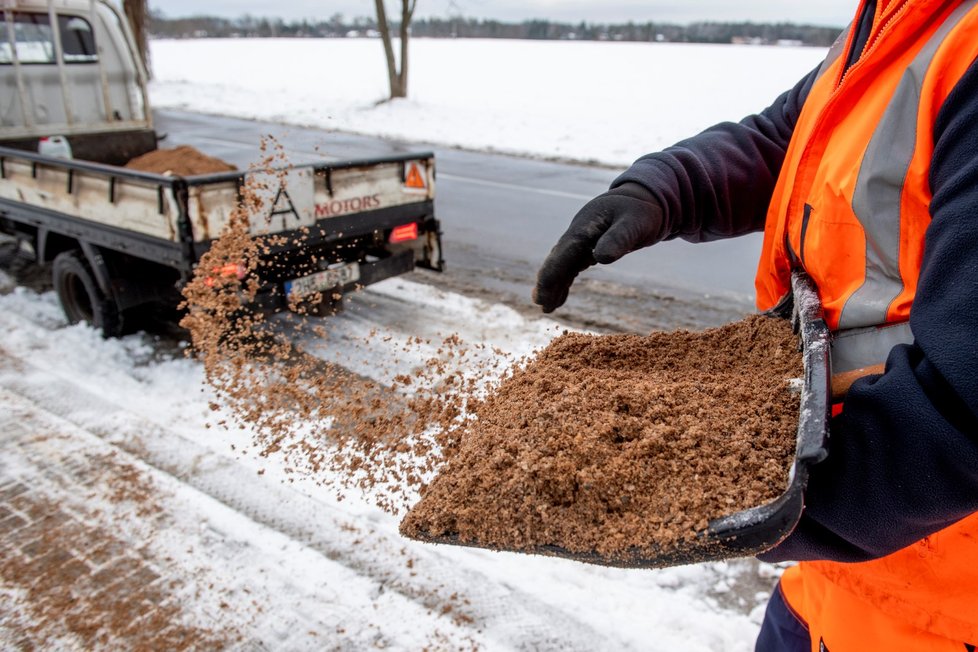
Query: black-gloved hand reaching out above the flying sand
{"x":609,"y":226}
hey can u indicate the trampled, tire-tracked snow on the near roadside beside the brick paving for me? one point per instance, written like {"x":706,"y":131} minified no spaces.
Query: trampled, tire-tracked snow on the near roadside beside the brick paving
{"x":285,"y":551}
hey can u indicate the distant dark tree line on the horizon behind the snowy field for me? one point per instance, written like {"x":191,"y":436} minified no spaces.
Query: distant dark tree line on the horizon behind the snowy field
{"x":338,"y":26}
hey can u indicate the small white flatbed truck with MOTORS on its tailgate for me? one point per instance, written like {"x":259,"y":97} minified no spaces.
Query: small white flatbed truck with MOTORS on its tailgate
{"x":120,"y":239}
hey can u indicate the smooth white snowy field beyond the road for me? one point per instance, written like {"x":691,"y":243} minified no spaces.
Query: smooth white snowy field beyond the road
{"x":587,"y":101}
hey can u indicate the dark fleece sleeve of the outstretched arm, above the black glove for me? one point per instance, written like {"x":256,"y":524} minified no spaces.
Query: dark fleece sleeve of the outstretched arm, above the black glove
{"x":718,"y":183}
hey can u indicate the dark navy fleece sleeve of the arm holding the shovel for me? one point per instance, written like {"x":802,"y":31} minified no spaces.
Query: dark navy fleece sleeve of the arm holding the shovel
{"x":903,"y":459}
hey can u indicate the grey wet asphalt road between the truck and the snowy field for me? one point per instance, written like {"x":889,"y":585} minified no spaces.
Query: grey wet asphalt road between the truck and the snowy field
{"x":501,"y":214}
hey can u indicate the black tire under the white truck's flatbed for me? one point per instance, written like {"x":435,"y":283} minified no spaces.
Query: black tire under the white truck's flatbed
{"x":80,"y":296}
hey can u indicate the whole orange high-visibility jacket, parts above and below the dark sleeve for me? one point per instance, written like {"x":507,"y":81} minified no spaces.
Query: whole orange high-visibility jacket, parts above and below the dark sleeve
{"x":852,"y":206}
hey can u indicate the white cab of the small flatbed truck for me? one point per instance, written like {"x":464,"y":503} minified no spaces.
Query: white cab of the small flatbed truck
{"x":69,"y":69}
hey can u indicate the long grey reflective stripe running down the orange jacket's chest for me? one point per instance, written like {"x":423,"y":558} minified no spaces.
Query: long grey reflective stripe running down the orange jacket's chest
{"x":879,"y":186}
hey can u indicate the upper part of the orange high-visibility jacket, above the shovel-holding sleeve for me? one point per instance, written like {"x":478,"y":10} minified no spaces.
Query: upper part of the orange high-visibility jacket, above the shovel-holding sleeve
{"x":851,"y":203}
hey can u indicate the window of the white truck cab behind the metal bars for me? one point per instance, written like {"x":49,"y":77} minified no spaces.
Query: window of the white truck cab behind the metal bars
{"x":35,"y":40}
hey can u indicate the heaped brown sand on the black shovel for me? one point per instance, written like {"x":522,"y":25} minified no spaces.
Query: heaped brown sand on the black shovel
{"x":620,"y":443}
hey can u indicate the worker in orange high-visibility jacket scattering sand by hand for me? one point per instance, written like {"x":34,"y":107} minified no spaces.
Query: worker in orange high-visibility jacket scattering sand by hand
{"x":865,"y":175}
